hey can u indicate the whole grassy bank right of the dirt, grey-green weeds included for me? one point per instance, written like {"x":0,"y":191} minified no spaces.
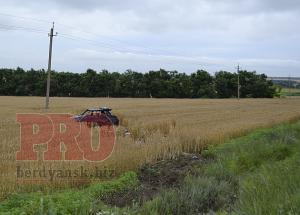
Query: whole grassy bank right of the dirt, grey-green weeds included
{"x":255,"y":174}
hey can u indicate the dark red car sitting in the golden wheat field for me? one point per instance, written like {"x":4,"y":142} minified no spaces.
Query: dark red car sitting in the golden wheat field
{"x":97,"y":116}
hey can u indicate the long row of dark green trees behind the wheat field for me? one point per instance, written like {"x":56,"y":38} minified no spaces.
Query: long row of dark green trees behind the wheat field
{"x":156,"y":84}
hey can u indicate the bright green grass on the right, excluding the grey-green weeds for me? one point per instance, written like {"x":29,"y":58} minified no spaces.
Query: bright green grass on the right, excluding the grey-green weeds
{"x":267,"y":166}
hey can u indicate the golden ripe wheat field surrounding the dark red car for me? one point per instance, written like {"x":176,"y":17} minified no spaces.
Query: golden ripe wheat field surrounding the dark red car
{"x":159,"y":128}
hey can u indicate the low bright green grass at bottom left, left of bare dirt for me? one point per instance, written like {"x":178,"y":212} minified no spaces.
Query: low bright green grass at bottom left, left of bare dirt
{"x":67,"y":202}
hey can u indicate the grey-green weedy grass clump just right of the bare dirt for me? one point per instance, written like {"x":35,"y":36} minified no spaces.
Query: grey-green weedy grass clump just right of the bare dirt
{"x":196,"y":196}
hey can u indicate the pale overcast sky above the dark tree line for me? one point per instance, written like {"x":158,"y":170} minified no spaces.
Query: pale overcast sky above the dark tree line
{"x":182,"y":35}
